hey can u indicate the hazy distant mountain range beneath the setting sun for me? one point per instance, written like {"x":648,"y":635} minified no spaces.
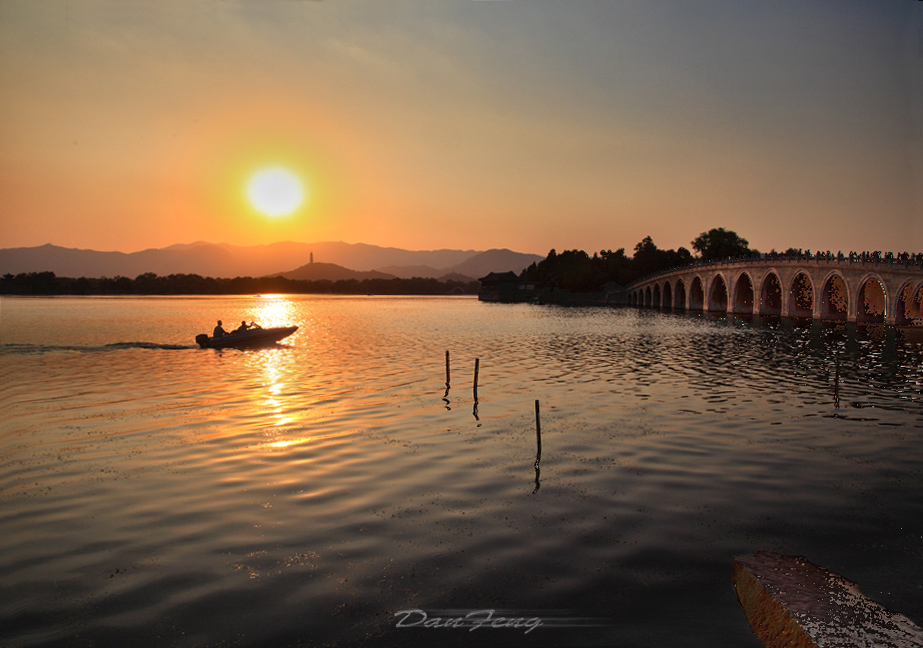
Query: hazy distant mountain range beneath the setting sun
{"x":333,"y":260}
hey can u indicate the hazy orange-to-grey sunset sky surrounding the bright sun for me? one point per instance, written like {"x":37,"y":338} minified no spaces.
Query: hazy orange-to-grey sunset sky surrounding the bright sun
{"x":527,"y":124}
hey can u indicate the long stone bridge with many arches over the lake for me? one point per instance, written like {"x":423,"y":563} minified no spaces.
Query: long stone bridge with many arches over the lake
{"x":858,"y":288}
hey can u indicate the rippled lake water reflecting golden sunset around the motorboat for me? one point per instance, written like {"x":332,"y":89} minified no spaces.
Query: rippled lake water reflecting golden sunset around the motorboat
{"x":157,"y":494}
